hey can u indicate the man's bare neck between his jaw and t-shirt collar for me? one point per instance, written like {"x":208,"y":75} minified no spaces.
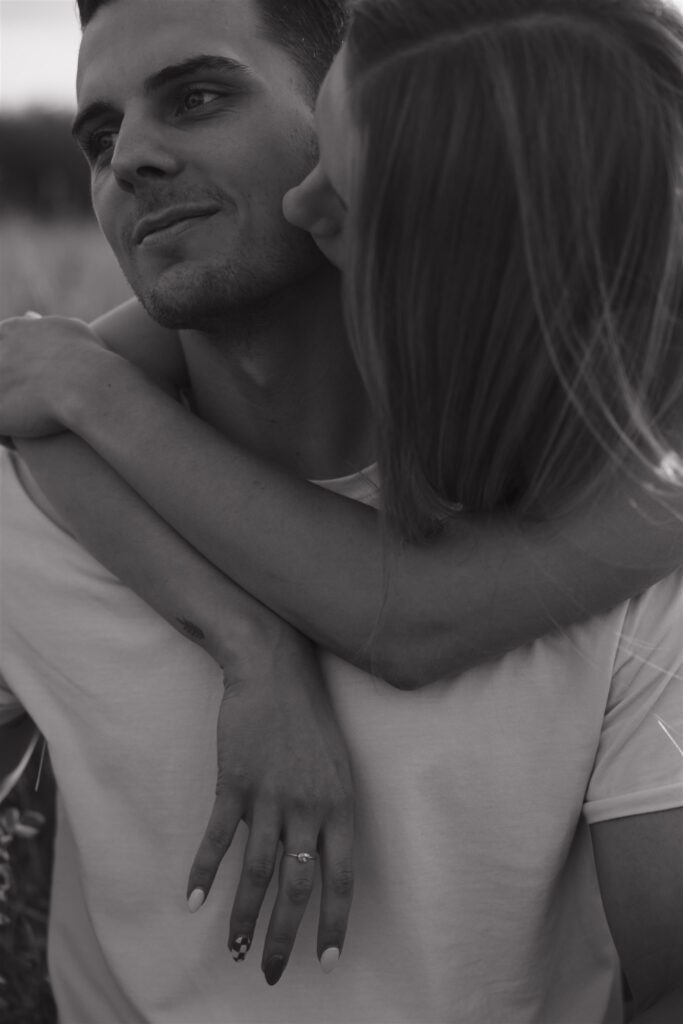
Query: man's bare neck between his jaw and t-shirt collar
{"x":282,"y":382}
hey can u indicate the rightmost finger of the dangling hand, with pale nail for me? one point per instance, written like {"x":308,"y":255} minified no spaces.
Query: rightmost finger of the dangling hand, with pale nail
{"x":337,"y":893}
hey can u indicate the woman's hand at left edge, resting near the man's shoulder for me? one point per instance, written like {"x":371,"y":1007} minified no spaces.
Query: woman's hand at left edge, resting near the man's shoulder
{"x":40,"y":359}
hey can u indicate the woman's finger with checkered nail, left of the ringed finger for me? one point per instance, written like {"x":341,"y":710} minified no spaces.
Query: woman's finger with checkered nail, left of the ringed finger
{"x":258,"y":869}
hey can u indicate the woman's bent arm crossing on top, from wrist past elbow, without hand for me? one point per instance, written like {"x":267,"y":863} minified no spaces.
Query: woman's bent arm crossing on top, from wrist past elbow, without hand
{"x":410,"y":614}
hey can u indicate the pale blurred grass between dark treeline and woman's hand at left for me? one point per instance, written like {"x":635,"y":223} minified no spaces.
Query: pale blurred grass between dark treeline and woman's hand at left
{"x":58,"y":268}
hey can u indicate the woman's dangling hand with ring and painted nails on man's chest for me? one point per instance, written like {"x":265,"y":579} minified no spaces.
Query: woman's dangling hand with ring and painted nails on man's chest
{"x":283,"y":769}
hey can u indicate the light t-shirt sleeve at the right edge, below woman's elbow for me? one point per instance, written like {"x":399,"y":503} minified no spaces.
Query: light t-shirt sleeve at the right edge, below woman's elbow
{"x":639,"y":765}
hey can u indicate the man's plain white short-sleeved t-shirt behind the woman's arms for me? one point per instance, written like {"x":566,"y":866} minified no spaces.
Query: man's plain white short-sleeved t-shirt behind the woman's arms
{"x":477,"y":897}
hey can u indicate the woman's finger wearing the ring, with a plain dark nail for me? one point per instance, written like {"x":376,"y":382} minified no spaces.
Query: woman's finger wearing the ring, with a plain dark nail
{"x":297,"y":876}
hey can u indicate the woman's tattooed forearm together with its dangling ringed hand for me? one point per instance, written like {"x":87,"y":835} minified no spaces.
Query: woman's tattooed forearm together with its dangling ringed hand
{"x":280,"y":749}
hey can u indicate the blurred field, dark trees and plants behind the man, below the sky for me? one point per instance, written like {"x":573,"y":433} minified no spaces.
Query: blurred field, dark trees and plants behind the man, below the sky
{"x":53,"y":261}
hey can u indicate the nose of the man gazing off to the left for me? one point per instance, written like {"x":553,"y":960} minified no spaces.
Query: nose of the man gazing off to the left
{"x":143,"y":152}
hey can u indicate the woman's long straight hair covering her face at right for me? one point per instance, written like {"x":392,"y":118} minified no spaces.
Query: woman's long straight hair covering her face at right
{"x":518,"y":247}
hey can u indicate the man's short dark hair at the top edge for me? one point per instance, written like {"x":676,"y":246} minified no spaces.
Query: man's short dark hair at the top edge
{"x":311,"y":31}
